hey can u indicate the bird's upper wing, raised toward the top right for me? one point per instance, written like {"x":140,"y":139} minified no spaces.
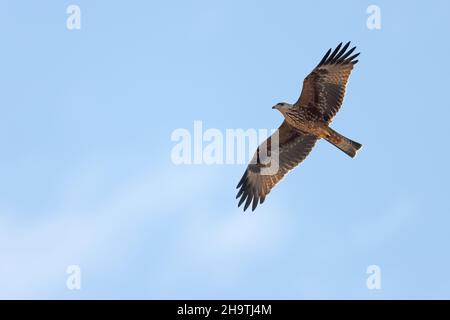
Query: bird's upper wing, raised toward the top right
{"x":324,"y":87}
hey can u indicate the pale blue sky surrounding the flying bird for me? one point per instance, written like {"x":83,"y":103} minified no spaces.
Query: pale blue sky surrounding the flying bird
{"x":86,"y":176}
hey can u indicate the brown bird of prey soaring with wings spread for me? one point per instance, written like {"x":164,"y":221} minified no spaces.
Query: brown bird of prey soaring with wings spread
{"x":304,"y":123}
